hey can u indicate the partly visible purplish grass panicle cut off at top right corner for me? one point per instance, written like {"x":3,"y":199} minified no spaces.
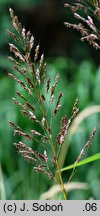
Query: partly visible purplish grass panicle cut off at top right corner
{"x":86,"y":12}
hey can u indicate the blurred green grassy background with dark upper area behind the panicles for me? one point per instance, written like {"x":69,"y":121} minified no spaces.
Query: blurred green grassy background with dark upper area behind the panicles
{"x":78,"y":65}
